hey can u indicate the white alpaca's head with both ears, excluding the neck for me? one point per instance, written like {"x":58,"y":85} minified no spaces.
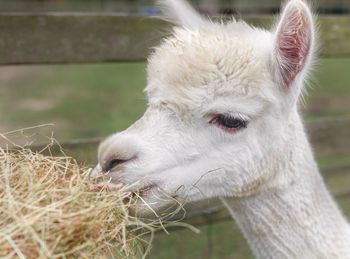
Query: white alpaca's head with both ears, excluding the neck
{"x":221,"y":104}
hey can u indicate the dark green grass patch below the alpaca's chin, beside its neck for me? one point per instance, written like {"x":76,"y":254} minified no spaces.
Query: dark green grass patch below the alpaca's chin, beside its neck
{"x":216,"y":241}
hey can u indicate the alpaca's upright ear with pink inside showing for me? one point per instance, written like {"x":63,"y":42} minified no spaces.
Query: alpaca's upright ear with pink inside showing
{"x":293,"y":44}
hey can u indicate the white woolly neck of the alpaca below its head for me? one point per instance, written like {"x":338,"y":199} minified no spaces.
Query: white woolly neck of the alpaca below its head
{"x":296,"y":220}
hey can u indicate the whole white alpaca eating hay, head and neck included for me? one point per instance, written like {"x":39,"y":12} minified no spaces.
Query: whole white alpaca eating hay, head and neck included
{"x":223,"y":121}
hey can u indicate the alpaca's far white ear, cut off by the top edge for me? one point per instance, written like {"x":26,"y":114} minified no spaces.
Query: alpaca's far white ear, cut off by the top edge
{"x":181,"y":13}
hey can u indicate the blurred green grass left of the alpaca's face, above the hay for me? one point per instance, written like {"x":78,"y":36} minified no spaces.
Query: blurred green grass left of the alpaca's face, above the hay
{"x":81,"y":100}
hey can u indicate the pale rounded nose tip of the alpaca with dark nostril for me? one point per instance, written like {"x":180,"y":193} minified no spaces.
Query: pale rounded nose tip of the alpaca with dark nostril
{"x":116,"y":151}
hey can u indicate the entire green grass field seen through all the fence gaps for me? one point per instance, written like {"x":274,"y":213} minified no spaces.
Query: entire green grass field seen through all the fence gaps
{"x":96,"y":100}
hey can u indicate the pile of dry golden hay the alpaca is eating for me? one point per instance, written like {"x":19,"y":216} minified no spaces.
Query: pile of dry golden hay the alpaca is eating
{"x":49,"y":208}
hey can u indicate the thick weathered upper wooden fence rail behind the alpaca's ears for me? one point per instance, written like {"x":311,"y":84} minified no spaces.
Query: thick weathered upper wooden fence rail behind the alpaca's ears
{"x":90,"y":38}
